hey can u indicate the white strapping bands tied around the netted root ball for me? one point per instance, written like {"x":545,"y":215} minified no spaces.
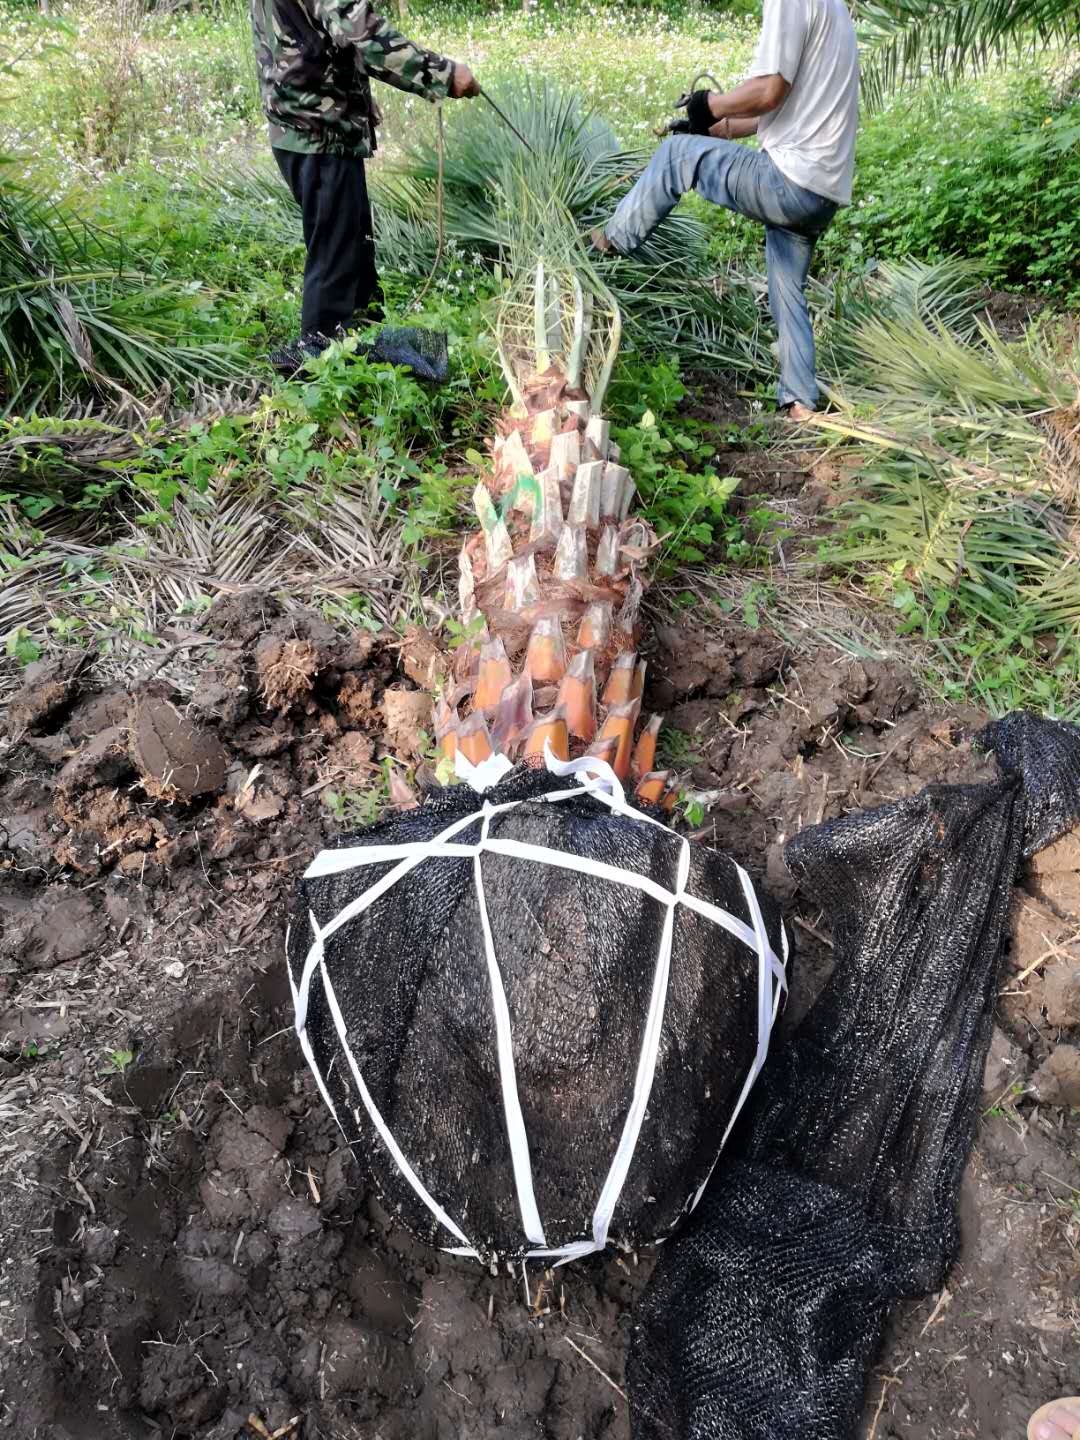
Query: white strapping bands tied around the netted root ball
{"x":598,"y":780}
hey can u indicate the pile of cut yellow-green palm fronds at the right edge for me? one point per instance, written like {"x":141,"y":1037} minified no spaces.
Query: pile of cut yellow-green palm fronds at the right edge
{"x":953,"y":502}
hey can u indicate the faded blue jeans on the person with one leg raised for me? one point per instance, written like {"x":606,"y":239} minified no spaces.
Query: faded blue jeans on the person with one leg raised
{"x":748,"y":182}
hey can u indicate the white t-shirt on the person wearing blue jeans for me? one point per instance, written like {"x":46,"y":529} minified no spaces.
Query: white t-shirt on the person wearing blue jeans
{"x":811,"y":136}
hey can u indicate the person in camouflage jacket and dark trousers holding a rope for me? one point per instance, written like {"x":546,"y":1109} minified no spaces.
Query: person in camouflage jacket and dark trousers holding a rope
{"x":316,"y":61}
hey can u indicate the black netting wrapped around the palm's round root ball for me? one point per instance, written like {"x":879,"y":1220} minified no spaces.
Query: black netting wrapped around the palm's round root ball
{"x":578,"y":958}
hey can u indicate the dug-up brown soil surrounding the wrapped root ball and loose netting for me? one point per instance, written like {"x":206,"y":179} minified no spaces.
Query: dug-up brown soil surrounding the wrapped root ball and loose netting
{"x":188,"y":1249}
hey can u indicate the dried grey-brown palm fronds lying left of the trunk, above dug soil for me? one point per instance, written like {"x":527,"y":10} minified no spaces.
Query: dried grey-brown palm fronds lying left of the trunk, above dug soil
{"x":129,"y":588}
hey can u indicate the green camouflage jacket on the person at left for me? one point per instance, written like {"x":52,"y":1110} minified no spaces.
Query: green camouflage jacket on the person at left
{"x":316,"y":61}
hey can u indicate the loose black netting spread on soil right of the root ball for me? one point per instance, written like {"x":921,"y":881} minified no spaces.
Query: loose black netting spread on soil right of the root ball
{"x":839,"y":1194}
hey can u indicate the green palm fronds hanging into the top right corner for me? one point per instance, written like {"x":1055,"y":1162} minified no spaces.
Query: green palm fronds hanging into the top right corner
{"x":908,"y":40}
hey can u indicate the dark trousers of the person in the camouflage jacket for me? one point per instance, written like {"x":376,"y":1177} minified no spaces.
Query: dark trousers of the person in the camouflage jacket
{"x":341,"y":277}
